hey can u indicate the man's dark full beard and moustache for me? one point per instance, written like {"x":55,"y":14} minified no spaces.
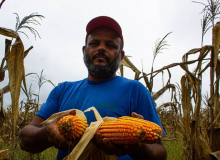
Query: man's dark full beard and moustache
{"x":102,"y":71}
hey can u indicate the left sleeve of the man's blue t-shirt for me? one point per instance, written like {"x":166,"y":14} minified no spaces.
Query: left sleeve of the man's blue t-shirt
{"x":52,"y":104}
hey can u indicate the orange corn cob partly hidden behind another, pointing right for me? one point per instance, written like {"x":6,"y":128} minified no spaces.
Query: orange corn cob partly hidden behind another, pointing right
{"x":153,"y":131}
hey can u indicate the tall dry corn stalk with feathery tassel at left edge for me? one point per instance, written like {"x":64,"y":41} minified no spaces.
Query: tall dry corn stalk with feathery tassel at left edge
{"x":14,"y":56}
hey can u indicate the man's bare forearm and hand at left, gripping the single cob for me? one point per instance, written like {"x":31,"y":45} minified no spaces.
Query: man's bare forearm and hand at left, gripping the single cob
{"x":36,"y":138}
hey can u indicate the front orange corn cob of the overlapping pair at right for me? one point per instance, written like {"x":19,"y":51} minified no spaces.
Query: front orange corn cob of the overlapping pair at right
{"x":122,"y":132}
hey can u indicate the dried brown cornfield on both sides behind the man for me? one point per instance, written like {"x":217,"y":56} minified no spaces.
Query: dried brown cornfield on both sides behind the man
{"x":192,"y":131}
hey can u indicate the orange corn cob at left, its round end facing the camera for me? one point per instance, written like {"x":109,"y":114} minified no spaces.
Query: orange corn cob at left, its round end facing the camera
{"x":72,"y":127}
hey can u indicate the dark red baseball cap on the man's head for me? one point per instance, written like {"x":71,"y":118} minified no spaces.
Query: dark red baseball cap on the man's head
{"x":104,"y":21}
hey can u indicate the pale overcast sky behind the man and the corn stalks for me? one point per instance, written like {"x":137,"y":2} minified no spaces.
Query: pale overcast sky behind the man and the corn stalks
{"x":59,"y":50}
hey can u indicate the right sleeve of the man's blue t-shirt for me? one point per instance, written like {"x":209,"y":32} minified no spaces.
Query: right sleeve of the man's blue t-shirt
{"x":147,"y":108}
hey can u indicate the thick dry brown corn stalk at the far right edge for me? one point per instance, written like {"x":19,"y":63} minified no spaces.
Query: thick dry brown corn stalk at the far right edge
{"x":214,"y":91}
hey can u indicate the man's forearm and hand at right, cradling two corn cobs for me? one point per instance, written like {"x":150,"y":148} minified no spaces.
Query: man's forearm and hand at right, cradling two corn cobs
{"x":136,"y":151}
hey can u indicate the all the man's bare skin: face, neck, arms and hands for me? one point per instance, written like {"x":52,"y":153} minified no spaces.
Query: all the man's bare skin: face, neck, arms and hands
{"x":36,"y":138}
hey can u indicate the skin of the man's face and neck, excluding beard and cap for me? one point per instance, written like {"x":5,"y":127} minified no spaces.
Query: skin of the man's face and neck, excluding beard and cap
{"x":105,"y":40}
